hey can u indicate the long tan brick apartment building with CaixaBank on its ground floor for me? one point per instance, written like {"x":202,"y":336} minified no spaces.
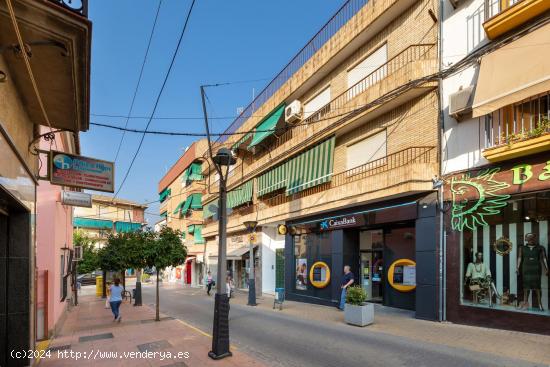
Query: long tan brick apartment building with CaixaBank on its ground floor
{"x":337,"y":168}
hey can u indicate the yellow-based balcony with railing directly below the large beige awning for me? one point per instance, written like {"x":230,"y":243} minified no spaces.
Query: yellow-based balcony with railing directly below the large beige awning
{"x":518,"y":130}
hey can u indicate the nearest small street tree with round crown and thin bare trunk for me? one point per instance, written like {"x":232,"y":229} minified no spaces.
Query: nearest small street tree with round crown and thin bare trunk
{"x":164,"y":249}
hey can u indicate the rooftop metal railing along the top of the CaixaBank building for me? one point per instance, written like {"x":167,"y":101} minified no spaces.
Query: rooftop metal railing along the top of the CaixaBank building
{"x":338,"y":20}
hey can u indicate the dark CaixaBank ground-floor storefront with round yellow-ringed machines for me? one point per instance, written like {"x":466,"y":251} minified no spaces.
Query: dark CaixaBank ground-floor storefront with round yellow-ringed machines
{"x":390,"y":247}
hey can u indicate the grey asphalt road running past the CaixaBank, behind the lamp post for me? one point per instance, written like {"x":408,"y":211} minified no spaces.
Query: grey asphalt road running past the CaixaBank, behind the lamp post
{"x":278,"y":339}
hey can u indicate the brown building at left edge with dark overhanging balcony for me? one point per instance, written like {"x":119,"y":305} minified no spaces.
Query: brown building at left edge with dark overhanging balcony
{"x":44,"y":81}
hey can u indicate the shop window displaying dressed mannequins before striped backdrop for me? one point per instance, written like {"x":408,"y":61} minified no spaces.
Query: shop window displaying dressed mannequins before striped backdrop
{"x":504,"y":264}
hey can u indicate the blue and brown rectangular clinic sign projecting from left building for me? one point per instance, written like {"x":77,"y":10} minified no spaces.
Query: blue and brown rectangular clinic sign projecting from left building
{"x":82,"y":172}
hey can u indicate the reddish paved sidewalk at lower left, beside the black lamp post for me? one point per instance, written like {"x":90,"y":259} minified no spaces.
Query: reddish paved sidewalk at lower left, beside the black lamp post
{"x":90,"y":331}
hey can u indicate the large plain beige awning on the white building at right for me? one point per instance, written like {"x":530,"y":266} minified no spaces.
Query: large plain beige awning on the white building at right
{"x":513,"y":73}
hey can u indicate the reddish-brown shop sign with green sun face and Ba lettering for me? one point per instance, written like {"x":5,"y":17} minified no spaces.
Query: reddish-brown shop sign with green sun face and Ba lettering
{"x":479,"y":194}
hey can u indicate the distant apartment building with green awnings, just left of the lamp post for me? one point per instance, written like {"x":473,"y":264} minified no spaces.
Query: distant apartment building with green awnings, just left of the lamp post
{"x":180,"y":194}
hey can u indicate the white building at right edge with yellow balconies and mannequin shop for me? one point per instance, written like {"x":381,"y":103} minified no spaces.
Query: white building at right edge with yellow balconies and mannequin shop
{"x":495,"y":157}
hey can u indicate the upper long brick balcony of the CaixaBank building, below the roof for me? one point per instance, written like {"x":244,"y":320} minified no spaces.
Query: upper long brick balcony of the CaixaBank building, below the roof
{"x":348,"y":108}
